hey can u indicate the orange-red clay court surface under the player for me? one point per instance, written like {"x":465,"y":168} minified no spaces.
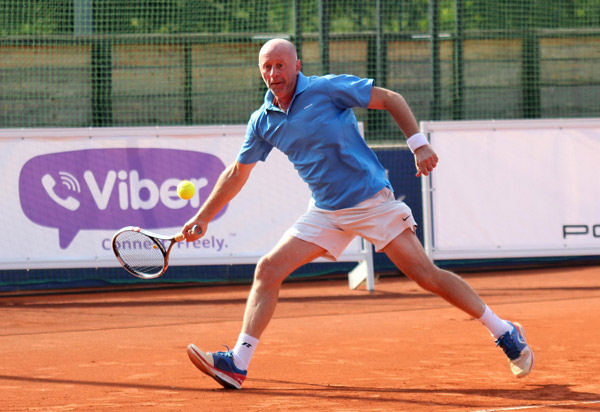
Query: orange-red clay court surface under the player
{"x":328,"y":348}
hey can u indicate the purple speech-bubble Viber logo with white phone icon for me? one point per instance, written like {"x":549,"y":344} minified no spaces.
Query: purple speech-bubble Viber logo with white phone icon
{"x":111,"y":188}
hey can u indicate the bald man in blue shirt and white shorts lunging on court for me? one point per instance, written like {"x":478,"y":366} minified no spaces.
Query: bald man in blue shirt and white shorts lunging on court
{"x":310,"y":119}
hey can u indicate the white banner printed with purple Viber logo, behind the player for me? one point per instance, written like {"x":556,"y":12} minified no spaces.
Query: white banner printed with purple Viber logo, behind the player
{"x":66,"y":192}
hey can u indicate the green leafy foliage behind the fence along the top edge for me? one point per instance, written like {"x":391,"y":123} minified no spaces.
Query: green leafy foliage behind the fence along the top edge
{"x":38,"y":17}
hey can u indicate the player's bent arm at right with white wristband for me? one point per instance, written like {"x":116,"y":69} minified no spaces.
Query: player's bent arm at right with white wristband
{"x":383,"y":99}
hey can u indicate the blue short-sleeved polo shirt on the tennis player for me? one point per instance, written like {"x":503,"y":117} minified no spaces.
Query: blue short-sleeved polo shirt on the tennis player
{"x":319,"y":134}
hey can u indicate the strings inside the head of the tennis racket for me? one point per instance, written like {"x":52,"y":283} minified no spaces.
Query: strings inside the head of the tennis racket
{"x":140,"y":253}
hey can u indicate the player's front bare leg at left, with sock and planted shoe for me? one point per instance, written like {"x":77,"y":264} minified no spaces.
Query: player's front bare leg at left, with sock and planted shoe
{"x":229,"y":368}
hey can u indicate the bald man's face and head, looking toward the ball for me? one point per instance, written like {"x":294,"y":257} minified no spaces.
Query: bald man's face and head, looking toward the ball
{"x":279,"y":68}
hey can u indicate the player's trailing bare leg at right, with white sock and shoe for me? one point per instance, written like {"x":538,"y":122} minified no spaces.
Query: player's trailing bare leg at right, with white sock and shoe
{"x":408,"y":255}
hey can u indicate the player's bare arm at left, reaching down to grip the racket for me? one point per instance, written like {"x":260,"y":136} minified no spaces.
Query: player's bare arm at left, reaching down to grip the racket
{"x":227,"y":187}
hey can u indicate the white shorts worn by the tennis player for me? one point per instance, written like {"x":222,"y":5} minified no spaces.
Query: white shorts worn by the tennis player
{"x":378,"y":219}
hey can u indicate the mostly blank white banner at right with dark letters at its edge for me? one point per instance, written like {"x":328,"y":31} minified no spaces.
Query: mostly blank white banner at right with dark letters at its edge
{"x":513,"y":189}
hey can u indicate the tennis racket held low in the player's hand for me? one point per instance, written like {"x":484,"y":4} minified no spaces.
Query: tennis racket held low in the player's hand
{"x":143,"y":253}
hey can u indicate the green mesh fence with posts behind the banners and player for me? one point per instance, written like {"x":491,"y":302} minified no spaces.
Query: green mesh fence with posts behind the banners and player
{"x":82,"y":63}
